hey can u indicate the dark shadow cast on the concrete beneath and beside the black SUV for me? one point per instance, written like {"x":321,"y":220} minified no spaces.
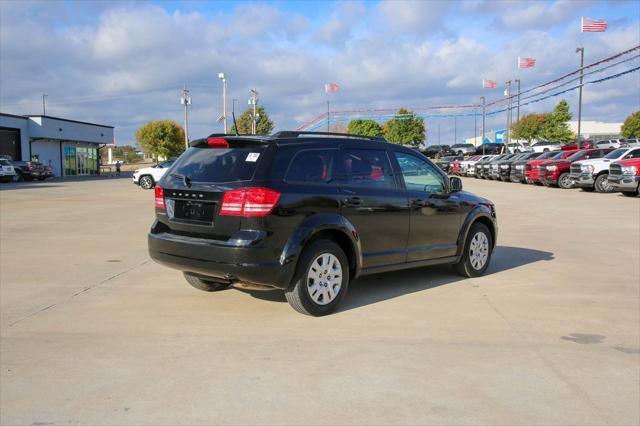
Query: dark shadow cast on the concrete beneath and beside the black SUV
{"x":380,"y":287}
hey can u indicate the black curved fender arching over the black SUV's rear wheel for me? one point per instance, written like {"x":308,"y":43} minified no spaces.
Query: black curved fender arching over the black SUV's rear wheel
{"x":317,"y":223}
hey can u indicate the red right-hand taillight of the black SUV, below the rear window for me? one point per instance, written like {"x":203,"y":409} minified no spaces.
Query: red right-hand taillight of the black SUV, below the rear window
{"x":249,"y":202}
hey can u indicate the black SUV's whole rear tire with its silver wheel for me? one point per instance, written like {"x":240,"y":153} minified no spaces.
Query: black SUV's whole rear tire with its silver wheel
{"x":320,"y":258}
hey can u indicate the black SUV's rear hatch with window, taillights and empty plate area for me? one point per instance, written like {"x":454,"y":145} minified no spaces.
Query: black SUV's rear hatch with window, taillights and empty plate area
{"x":204,"y":194}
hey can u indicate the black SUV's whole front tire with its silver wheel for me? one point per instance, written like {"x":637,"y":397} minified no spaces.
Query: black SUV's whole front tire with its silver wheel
{"x":476,"y":258}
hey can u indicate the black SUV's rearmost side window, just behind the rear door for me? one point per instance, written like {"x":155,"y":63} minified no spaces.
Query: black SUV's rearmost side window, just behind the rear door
{"x":312,"y":166}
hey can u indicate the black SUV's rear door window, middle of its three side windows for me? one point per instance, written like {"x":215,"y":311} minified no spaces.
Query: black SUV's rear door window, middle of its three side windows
{"x":367,"y":167}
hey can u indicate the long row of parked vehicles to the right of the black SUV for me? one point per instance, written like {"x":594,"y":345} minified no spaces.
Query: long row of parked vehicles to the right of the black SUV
{"x":598,"y":169}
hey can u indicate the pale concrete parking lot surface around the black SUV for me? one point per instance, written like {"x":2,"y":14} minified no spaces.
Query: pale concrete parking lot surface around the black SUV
{"x":93,"y":332}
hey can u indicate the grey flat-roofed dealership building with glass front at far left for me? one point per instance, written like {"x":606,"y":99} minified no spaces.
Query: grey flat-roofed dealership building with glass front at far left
{"x":70,"y":147}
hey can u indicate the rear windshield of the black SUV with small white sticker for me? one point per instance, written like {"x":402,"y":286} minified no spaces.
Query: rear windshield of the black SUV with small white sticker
{"x":218,"y":165}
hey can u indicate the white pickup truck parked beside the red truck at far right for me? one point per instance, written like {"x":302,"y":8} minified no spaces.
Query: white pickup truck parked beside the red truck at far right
{"x":594,"y":173}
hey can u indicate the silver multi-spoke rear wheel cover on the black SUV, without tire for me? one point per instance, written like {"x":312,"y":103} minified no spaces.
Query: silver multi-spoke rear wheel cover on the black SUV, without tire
{"x":324,"y":278}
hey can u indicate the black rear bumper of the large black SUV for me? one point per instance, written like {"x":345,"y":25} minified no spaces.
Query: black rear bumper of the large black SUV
{"x":220,"y":260}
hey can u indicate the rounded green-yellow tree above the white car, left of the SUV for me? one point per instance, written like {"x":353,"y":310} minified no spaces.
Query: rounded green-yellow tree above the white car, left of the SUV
{"x":161,"y":138}
